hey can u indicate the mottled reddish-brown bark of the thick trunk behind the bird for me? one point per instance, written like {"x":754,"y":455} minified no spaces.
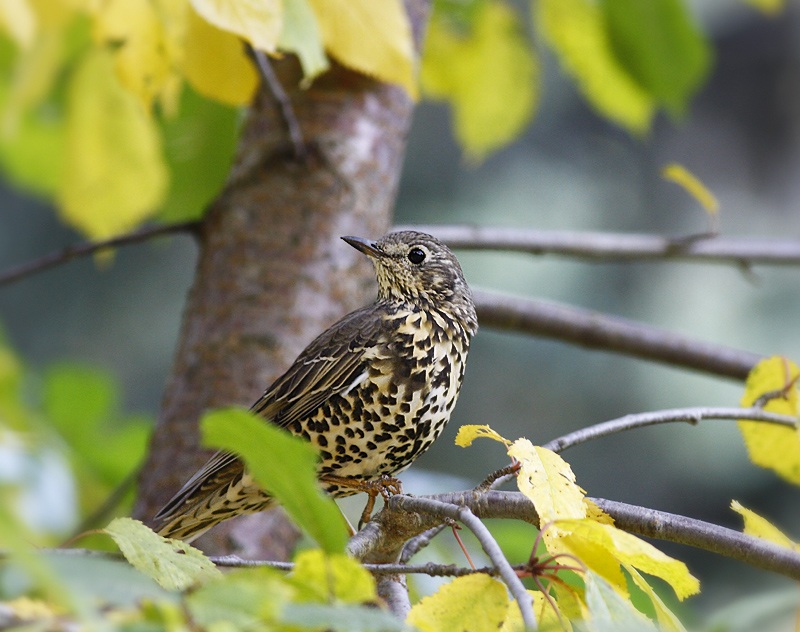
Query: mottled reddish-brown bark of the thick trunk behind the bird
{"x":272,"y":272}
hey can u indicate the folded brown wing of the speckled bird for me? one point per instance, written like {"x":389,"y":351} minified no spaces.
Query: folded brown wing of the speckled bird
{"x":331,"y":364}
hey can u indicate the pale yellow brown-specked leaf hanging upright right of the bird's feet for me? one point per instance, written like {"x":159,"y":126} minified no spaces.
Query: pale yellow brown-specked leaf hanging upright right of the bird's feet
{"x":547,"y":480}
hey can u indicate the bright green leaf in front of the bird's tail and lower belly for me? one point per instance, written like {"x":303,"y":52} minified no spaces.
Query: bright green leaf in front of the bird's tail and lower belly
{"x":283,"y":464}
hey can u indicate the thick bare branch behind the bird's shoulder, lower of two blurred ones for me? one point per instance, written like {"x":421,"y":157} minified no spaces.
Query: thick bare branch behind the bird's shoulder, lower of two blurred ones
{"x":599,"y":331}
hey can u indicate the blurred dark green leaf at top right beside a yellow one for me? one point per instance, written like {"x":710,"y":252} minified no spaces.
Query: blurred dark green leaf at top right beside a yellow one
{"x":659,"y":45}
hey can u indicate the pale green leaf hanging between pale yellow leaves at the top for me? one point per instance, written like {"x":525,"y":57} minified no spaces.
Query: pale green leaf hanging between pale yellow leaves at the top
{"x":301,"y":35}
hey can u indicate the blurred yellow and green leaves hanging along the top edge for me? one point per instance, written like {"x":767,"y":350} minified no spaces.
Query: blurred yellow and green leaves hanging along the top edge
{"x":128,"y":110}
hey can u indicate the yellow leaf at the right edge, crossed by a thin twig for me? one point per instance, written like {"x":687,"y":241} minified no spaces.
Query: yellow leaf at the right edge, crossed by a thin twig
{"x":773,"y":447}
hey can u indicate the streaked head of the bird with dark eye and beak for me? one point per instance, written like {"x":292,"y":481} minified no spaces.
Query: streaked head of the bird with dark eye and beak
{"x":417,"y":268}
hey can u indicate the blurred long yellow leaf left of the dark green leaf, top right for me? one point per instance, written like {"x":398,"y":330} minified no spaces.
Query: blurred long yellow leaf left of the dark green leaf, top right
{"x":576,"y":30}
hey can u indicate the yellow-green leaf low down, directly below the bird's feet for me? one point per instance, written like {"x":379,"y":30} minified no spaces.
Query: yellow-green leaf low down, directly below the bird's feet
{"x":321,"y":576}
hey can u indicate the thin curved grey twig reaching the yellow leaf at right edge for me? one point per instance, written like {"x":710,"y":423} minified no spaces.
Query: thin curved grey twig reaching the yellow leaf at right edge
{"x":641,"y":420}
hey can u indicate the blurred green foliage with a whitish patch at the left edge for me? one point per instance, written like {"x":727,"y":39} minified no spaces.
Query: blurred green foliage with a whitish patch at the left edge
{"x":65,"y":447}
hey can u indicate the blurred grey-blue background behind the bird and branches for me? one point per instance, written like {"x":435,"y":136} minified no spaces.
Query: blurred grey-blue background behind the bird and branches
{"x":570,"y":171}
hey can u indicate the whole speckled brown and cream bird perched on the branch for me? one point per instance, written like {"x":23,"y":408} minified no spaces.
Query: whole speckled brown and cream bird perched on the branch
{"x":371,"y":393}
